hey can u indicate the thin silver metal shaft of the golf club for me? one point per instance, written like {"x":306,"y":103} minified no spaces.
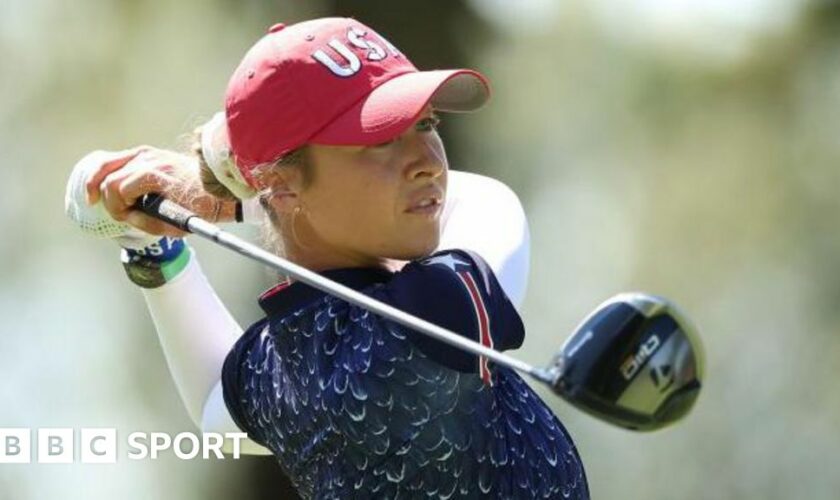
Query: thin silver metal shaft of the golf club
{"x":213,"y":233}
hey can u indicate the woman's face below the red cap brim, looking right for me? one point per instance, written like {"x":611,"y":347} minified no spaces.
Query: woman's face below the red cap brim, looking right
{"x":366,"y":203}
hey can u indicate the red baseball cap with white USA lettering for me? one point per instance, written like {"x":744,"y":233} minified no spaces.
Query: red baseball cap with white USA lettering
{"x":332,"y":81}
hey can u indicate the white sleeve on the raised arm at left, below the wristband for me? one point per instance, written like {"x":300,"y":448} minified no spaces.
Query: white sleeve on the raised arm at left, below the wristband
{"x":196,"y":332}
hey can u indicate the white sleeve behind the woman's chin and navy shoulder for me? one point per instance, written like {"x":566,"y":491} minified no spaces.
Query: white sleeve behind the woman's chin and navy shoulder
{"x":484,"y":215}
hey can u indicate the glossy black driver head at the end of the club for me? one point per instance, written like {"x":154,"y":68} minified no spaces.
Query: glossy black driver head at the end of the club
{"x":635,"y":362}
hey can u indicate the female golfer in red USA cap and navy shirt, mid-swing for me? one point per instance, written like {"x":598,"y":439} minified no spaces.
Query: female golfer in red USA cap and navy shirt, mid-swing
{"x":334,"y":131}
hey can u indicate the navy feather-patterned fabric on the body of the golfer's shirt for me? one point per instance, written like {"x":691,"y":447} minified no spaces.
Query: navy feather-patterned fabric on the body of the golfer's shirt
{"x":352,"y":409}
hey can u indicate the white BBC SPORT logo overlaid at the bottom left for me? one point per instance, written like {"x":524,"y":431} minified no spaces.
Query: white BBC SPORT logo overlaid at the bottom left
{"x":100,"y":445}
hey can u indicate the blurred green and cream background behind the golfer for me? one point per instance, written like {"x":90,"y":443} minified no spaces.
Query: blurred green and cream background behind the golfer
{"x":688,"y":148}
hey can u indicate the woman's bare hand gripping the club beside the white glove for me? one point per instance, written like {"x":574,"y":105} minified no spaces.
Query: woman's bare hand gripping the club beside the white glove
{"x":121,"y":177}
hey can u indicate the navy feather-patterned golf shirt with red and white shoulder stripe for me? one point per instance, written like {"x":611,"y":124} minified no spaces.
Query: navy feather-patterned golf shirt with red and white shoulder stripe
{"x":356,"y":406}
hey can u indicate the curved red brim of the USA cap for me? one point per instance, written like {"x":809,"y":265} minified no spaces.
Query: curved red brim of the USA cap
{"x":392,"y":107}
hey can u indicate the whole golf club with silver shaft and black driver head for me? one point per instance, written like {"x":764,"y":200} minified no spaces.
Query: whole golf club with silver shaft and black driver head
{"x":635,"y":362}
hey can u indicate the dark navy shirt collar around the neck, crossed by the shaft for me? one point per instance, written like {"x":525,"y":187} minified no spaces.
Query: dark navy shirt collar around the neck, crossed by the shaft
{"x":289,"y":296}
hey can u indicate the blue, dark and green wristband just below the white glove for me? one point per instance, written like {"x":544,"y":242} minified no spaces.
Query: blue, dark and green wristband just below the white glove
{"x":157,"y":264}
